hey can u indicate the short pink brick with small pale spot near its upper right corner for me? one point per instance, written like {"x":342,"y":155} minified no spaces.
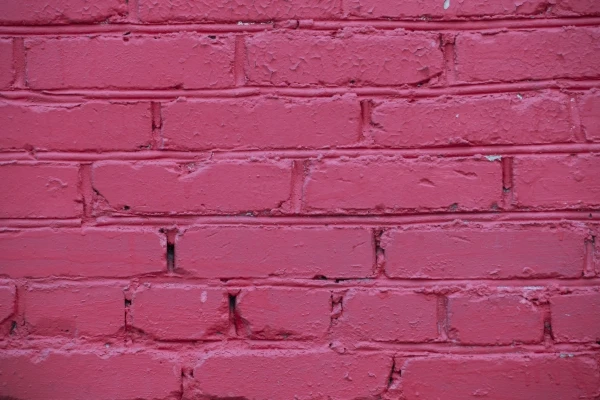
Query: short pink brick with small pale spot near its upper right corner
{"x":180,"y":312}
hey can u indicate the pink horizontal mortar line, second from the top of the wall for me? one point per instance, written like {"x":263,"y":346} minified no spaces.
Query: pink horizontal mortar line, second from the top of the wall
{"x":70,"y":95}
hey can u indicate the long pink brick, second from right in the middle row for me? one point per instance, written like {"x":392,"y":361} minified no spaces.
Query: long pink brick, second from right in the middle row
{"x":372,"y":185}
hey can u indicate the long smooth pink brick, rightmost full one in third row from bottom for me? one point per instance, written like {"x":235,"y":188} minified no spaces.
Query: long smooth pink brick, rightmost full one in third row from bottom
{"x":484,"y":253}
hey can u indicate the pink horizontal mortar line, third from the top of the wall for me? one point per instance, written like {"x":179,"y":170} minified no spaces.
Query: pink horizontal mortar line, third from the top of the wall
{"x":540,"y":150}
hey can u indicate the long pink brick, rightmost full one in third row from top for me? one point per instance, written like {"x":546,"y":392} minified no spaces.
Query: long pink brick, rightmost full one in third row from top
{"x":474,"y":120}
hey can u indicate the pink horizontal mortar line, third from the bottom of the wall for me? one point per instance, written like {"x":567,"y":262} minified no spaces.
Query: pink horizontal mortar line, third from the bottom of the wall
{"x":592,"y":216}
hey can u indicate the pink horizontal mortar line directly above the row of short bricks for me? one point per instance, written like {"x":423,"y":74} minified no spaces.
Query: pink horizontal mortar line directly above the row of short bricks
{"x":515,"y":285}
